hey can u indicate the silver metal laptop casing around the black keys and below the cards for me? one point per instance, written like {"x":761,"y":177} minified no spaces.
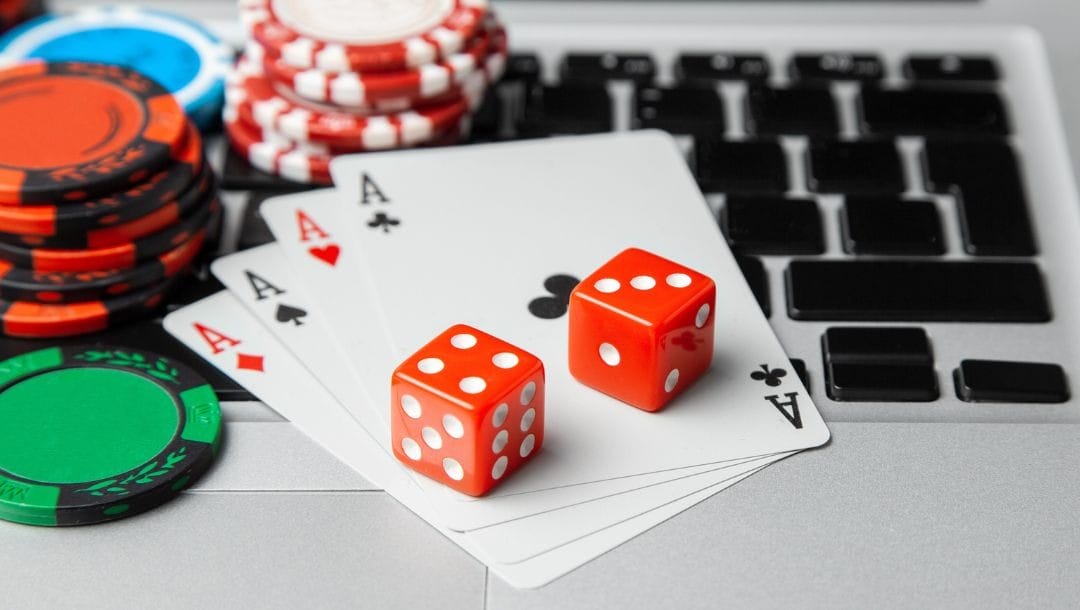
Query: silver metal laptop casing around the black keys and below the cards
{"x":922,"y":507}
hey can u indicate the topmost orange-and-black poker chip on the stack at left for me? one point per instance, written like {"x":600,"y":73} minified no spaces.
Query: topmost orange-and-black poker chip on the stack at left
{"x":72,"y":131}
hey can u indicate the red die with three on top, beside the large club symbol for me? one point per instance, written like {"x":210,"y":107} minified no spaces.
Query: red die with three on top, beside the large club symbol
{"x":642,"y":329}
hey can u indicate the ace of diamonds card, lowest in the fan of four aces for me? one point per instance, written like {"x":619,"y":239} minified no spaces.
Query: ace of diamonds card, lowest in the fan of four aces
{"x":223,"y":332}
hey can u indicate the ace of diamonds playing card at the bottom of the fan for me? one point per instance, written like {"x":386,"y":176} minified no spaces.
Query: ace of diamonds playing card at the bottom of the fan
{"x":221,"y":331}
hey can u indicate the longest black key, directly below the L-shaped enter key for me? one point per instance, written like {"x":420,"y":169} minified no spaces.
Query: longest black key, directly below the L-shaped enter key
{"x":916,"y":292}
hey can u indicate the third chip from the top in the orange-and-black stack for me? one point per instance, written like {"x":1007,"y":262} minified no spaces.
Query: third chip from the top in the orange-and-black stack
{"x":121,"y":256}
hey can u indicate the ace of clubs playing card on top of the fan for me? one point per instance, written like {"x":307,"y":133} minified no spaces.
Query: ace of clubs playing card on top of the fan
{"x":490,"y":231}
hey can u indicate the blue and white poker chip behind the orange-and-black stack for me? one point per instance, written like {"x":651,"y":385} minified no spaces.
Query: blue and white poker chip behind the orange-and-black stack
{"x":181,"y":55}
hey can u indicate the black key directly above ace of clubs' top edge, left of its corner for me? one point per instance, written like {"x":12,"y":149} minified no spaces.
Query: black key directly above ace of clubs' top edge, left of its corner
{"x":555,"y":111}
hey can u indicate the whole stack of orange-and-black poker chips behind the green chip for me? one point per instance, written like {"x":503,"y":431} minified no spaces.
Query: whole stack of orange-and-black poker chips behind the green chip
{"x":105,"y":197}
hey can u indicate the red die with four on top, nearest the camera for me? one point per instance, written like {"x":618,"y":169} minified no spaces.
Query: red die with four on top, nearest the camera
{"x":467,"y":410}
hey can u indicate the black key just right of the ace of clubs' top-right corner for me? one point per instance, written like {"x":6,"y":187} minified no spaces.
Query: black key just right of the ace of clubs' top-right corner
{"x":741,"y":167}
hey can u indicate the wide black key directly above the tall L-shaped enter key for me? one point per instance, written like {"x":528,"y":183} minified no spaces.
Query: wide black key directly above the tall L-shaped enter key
{"x":934,"y":113}
